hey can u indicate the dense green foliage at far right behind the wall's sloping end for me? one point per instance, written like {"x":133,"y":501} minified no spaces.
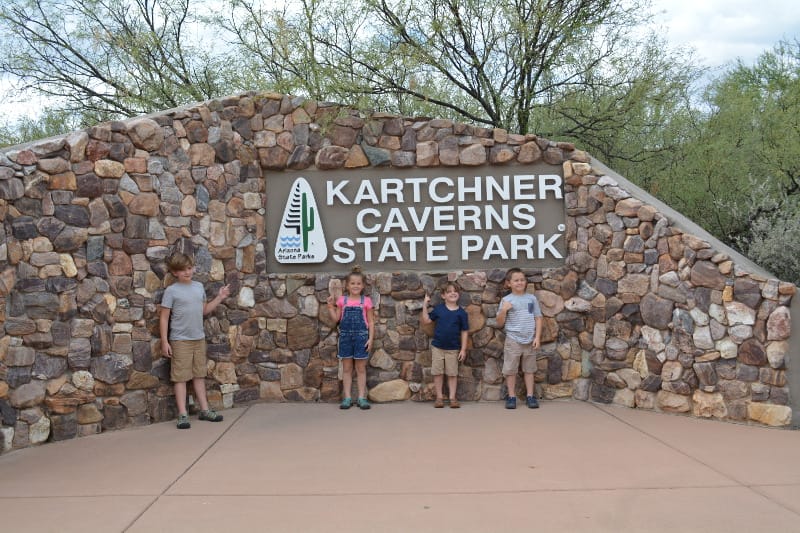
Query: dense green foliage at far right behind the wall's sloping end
{"x":737,"y":172}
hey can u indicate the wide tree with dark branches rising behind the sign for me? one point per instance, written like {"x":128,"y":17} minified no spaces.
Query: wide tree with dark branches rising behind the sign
{"x":529,"y":66}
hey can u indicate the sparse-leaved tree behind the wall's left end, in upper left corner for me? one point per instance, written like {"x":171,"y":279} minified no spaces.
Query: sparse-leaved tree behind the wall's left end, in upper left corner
{"x":111,"y":58}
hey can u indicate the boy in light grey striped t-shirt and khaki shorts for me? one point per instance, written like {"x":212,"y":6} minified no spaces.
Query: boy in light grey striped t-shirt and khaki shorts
{"x":521,"y":318}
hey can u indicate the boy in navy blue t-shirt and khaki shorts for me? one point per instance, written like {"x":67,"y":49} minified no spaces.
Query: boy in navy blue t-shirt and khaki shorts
{"x":449,"y":344}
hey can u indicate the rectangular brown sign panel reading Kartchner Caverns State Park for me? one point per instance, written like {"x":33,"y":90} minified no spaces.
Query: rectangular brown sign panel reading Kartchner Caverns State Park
{"x":432,"y":220}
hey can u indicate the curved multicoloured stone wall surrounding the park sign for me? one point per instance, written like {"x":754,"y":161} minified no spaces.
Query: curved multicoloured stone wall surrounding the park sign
{"x":642,"y":314}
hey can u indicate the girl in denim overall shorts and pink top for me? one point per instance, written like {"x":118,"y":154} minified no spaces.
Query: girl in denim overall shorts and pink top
{"x":356,"y":318}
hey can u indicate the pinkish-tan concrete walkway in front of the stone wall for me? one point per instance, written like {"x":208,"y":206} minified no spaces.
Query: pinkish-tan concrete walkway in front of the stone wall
{"x":570,"y":466}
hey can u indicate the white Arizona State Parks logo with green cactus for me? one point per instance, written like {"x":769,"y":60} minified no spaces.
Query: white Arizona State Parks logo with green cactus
{"x":301,"y":238}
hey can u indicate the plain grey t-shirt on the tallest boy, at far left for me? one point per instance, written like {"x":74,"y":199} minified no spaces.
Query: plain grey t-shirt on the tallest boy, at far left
{"x":186,"y":316}
